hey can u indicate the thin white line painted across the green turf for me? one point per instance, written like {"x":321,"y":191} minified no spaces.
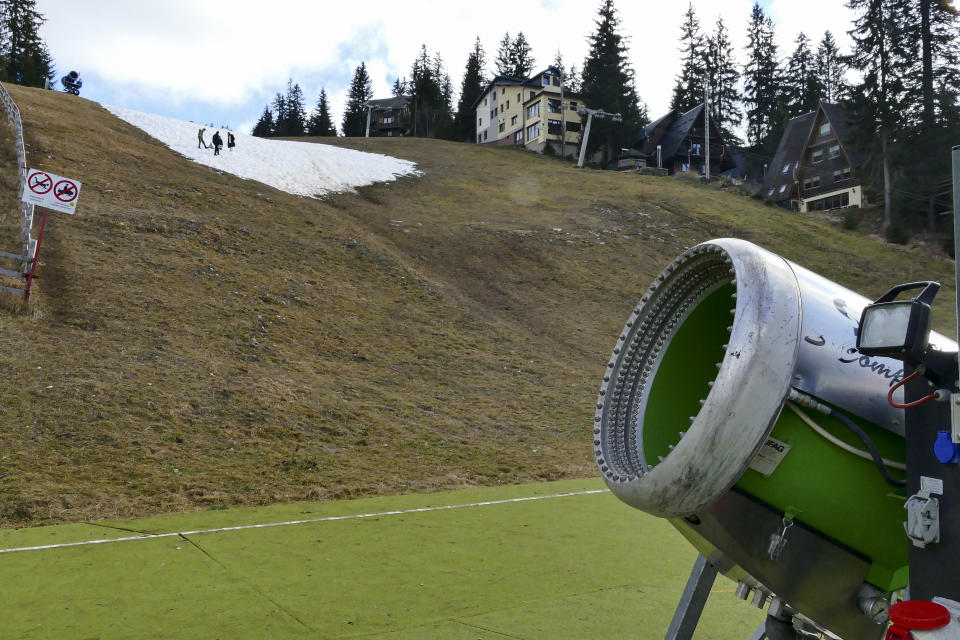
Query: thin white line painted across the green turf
{"x":265,"y":525}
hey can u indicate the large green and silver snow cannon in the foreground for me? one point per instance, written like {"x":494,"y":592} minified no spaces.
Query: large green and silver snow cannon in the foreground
{"x":737,"y":406}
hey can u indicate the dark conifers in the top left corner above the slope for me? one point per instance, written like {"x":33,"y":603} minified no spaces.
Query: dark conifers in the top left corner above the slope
{"x":25,"y":57}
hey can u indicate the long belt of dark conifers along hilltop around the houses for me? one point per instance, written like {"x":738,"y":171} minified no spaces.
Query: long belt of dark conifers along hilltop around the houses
{"x":900,"y":83}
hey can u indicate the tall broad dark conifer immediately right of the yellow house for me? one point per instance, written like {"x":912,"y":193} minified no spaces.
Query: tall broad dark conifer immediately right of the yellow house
{"x":608,"y":84}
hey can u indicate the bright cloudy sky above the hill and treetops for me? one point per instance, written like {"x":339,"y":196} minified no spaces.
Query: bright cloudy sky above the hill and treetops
{"x":222,"y":61}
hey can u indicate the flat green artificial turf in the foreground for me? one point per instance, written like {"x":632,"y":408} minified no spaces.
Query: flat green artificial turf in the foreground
{"x":577,"y":566}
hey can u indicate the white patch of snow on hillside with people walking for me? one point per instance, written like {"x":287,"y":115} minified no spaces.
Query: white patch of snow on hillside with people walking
{"x":300,"y":168}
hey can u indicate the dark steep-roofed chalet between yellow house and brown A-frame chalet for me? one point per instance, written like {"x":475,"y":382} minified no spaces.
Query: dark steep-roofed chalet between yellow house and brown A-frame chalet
{"x":676,"y":142}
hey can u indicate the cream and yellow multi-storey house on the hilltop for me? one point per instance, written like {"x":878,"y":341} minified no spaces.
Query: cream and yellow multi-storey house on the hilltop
{"x":533,"y":112}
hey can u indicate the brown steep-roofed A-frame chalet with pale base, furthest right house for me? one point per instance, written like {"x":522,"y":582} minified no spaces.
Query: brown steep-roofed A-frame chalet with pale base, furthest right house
{"x":812,"y":169}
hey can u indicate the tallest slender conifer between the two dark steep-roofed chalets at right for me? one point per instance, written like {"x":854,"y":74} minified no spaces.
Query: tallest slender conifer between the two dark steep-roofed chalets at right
{"x":761,"y":94}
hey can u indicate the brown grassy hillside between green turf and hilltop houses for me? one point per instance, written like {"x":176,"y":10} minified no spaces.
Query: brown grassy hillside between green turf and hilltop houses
{"x":199,"y":341}
